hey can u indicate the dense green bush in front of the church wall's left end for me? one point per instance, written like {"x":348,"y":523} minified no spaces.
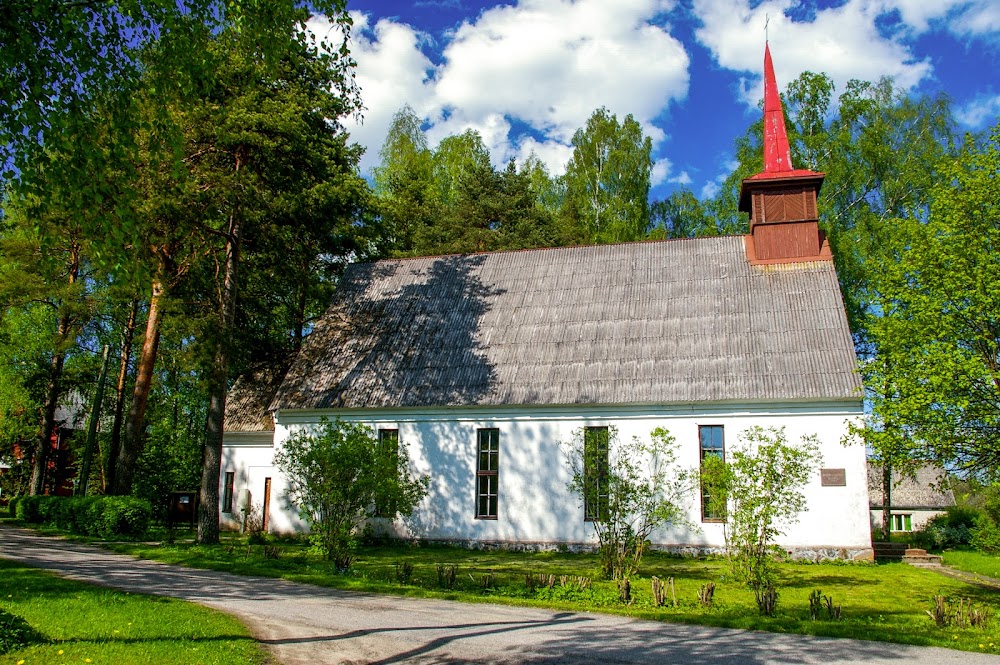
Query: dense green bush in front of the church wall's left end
{"x":337,"y":475}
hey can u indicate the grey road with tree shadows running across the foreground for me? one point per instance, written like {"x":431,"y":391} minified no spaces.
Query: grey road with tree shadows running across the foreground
{"x":302,"y":624}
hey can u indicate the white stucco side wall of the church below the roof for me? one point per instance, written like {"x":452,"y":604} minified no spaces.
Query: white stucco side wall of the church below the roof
{"x":535,"y":505}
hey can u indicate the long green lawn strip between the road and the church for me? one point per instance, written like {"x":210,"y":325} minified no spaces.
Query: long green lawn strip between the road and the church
{"x":884,"y":602}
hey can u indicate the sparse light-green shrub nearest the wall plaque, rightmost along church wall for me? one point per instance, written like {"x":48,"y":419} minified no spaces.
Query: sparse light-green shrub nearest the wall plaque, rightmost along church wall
{"x":761,"y":484}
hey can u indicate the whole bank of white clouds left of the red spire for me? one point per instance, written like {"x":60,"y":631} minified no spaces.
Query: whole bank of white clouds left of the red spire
{"x":546,"y":64}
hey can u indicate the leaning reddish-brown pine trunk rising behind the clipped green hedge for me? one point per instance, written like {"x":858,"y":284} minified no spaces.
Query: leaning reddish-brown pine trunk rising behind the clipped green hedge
{"x":135,"y":435}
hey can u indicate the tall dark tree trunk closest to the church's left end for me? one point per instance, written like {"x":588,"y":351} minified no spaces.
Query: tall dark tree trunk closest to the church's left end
{"x":208,"y":498}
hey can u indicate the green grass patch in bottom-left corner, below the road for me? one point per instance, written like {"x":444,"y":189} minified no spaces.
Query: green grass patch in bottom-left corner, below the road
{"x":89,"y":624}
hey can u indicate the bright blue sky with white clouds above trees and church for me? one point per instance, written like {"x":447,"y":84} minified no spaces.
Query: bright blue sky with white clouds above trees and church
{"x":527,"y":73}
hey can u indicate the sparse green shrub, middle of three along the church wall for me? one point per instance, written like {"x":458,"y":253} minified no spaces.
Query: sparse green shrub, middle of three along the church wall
{"x":628,"y":489}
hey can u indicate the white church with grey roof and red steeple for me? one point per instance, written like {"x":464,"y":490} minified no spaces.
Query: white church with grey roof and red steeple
{"x":514,"y":353}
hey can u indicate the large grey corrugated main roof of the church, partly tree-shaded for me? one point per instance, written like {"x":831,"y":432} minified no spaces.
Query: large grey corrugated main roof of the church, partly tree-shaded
{"x":641,"y":323}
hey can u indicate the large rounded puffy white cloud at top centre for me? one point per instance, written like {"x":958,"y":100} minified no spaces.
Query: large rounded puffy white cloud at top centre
{"x":550,"y":63}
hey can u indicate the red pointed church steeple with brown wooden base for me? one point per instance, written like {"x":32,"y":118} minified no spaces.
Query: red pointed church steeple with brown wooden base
{"x":781,"y":200}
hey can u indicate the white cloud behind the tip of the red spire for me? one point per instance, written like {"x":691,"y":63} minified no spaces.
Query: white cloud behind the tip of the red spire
{"x":842,"y":41}
